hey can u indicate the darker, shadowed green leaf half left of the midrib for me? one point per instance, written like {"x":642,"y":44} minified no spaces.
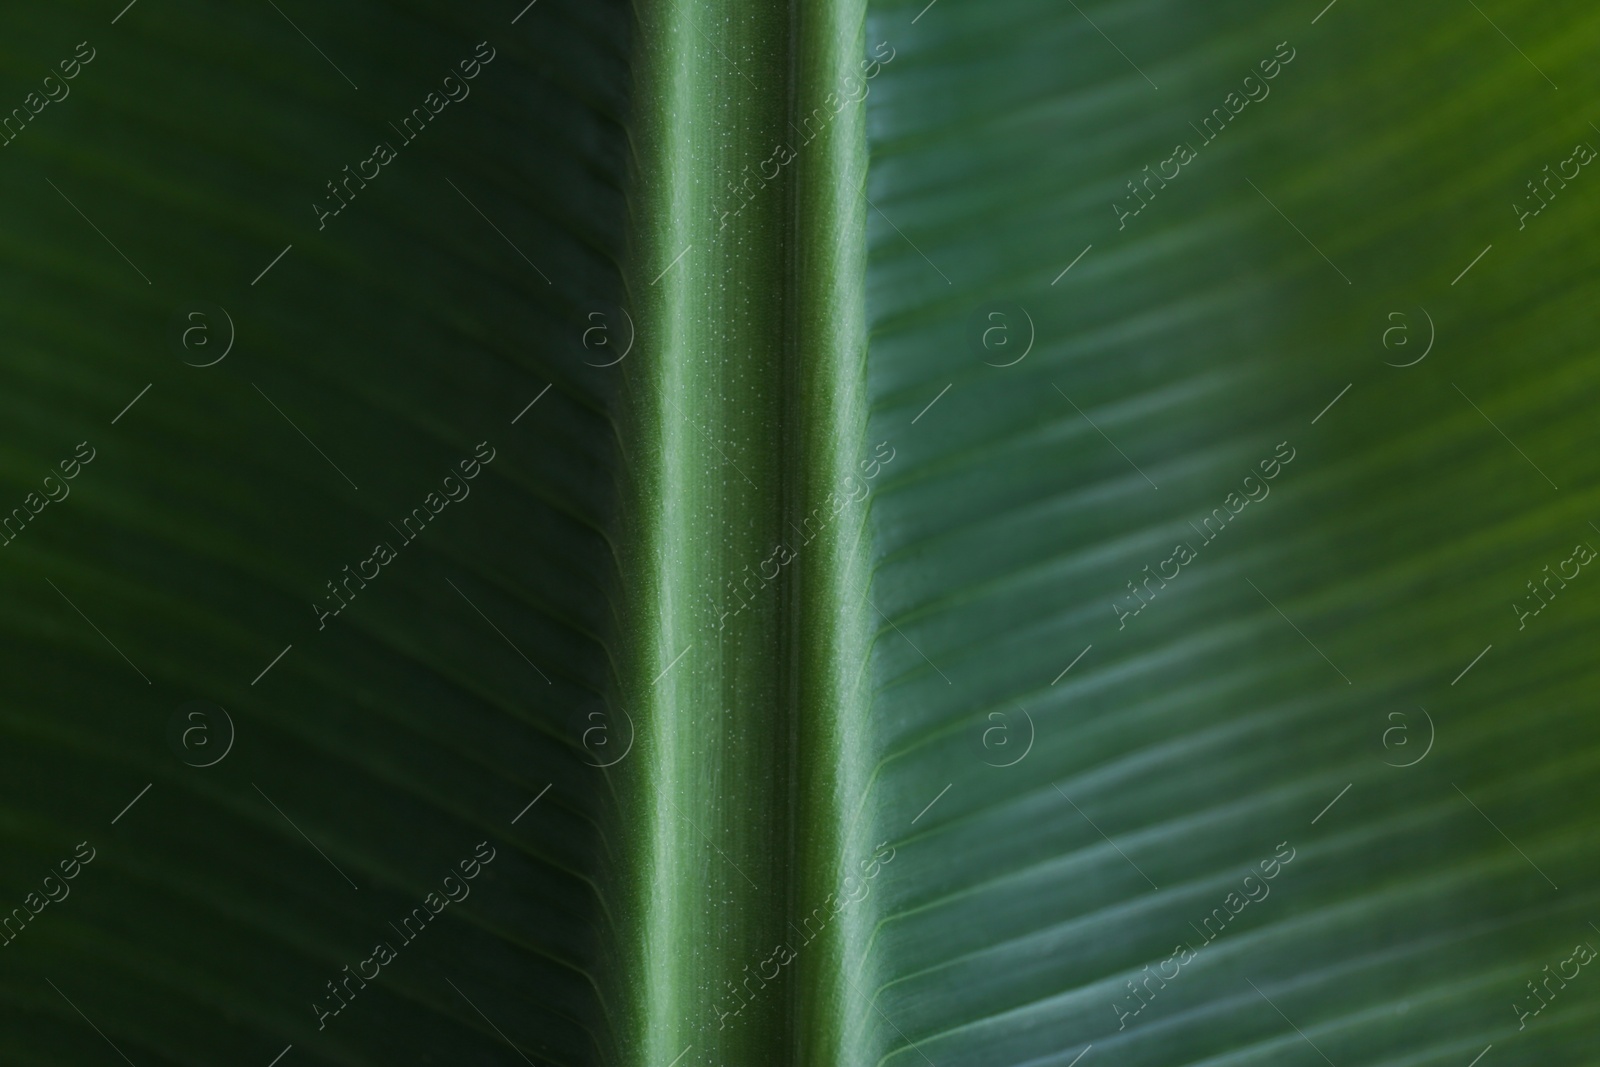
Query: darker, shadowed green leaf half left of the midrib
{"x":382,"y":745}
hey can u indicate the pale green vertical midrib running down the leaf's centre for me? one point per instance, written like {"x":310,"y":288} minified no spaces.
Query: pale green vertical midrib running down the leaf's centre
{"x":743,"y":425}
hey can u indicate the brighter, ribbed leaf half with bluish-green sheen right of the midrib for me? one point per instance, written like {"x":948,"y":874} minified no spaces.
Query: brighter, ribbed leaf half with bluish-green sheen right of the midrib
{"x":1034,"y":914}
